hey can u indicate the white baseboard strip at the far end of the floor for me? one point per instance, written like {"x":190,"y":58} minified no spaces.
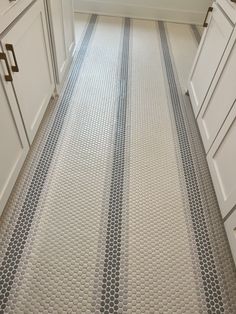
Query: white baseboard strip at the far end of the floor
{"x":138,"y":11}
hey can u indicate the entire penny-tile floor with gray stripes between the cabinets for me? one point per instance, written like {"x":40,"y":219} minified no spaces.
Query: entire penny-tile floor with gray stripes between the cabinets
{"x":114,"y":211}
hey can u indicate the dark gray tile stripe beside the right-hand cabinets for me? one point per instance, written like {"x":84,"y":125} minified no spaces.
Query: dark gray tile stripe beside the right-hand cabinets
{"x":210,"y":277}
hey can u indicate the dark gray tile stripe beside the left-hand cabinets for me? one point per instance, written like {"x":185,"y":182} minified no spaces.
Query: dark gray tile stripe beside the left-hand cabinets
{"x":21,"y":231}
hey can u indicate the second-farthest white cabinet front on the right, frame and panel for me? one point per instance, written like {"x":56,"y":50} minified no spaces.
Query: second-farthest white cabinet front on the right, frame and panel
{"x":220,"y":98}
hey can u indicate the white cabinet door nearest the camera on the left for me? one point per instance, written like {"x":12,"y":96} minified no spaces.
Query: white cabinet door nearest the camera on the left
{"x":13,"y":141}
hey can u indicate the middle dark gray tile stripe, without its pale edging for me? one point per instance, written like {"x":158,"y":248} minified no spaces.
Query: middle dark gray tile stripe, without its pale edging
{"x":112,"y":259}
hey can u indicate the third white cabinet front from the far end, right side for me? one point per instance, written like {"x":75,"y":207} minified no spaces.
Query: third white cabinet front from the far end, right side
{"x":221,"y":160}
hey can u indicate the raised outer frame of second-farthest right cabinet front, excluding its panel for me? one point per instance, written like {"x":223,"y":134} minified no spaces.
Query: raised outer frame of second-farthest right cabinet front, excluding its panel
{"x":208,"y":140}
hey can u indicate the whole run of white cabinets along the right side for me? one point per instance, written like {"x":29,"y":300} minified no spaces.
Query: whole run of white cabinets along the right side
{"x":212,"y":91}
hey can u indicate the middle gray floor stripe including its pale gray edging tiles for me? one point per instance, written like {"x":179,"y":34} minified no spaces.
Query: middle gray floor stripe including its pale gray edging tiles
{"x":111,"y":260}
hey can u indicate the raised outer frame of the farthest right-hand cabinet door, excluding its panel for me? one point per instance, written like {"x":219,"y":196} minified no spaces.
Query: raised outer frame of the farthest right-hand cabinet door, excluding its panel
{"x":220,"y":15}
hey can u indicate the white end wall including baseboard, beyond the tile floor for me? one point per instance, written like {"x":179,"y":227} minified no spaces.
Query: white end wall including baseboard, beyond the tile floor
{"x":187,"y":11}
